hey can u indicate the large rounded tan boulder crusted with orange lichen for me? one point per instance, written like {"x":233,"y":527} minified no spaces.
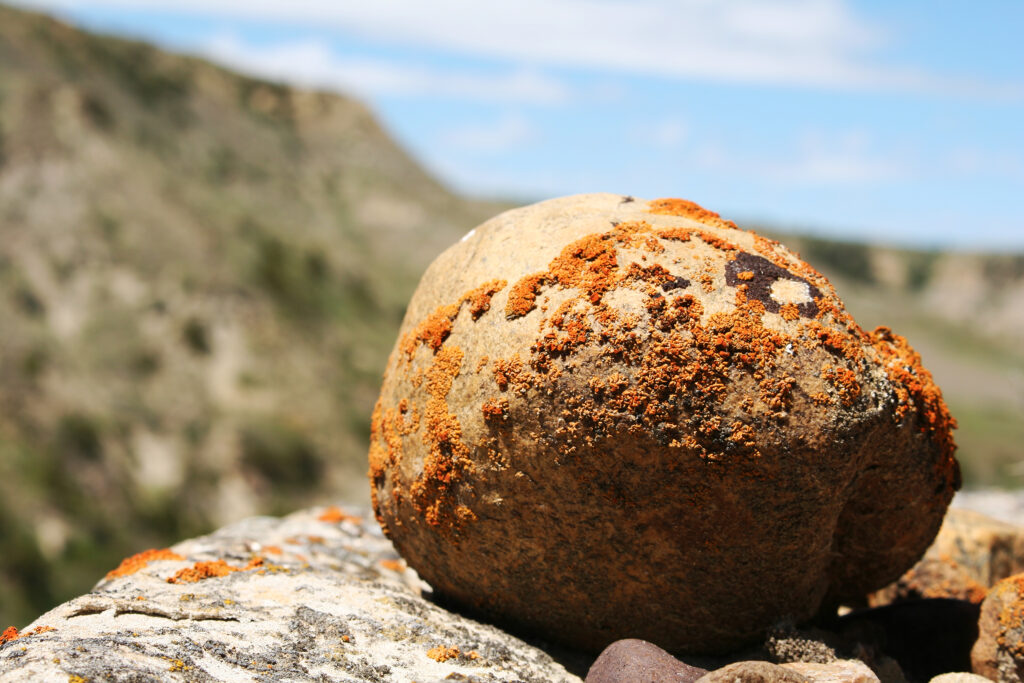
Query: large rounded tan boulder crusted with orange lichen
{"x":611,"y":418}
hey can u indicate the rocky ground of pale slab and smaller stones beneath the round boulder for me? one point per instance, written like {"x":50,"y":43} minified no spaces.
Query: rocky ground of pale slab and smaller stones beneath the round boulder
{"x":322,"y":595}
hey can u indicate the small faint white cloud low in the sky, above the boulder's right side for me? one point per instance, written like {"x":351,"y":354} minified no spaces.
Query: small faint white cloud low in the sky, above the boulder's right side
{"x":818,"y":160}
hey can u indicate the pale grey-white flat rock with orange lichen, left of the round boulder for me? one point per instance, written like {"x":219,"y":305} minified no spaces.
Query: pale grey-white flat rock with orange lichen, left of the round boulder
{"x":291,"y":600}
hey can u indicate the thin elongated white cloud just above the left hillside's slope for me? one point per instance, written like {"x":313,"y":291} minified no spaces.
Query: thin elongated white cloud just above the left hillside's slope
{"x":314,"y":64}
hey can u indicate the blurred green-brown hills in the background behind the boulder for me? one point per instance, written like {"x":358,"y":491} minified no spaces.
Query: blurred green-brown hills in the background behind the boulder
{"x":202,"y":276}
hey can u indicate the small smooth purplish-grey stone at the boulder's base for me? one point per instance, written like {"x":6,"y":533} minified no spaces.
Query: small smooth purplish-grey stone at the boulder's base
{"x":633,"y":661}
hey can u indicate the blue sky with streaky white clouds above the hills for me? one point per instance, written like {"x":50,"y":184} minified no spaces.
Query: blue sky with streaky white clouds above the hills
{"x":895,"y":122}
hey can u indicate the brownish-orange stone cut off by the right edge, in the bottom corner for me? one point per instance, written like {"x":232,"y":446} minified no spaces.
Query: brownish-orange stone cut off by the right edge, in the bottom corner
{"x":999,"y":655}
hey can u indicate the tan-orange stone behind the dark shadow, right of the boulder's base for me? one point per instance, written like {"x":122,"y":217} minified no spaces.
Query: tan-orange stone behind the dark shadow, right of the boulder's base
{"x":971,"y":553}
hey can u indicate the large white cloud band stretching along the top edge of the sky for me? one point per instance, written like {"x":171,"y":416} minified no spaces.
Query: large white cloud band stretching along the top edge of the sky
{"x":795,"y":42}
